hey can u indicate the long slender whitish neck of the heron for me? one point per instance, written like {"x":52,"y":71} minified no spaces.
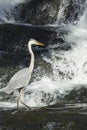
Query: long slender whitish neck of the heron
{"x":32,"y":58}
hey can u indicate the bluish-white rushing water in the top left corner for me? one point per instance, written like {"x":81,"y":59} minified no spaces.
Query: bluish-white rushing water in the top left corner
{"x":6,"y":8}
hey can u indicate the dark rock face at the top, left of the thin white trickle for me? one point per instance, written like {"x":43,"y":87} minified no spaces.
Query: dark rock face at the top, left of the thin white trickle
{"x":38,"y":12}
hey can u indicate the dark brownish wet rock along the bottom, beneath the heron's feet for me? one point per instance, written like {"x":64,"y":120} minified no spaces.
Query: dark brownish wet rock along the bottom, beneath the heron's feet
{"x":51,"y":119}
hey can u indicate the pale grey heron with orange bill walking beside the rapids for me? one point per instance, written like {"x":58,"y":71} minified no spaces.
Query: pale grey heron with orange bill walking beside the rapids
{"x":20,"y":79}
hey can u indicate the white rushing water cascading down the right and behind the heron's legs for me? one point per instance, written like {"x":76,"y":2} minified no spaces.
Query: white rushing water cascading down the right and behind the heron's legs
{"x":69,"y":69}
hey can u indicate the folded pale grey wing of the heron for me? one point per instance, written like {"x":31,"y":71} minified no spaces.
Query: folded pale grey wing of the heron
{"x":20,"y":79}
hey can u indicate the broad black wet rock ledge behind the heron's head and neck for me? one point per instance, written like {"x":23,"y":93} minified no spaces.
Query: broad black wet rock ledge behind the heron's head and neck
{"x":13,"y":40}
